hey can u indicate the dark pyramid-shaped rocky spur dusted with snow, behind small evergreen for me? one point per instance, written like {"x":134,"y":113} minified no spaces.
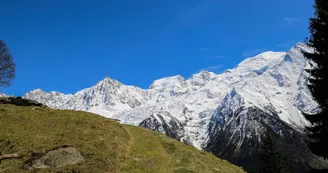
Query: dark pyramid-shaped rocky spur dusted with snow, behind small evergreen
{"x":235,"y":134}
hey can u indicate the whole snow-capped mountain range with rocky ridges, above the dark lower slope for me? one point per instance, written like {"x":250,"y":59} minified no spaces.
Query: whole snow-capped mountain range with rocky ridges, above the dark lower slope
{"x":267,"y":88}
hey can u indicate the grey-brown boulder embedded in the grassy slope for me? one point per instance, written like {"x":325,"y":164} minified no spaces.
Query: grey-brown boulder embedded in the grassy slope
{"x":55,"y":158}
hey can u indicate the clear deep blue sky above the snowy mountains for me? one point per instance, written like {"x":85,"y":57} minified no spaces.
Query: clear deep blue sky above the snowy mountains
{"x":68,"y":45}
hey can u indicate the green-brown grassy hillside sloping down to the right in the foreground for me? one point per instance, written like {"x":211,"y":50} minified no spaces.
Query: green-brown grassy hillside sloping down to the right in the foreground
{"x":106,"y":145}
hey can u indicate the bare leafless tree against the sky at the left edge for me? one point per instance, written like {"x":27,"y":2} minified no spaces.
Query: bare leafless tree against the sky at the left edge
{"x":7,"y":66}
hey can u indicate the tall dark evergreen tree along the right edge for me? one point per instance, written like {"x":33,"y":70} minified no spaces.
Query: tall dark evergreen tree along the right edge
{"x":318,"y":80}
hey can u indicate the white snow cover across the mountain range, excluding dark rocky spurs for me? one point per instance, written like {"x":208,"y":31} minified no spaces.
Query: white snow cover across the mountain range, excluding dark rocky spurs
{"x":273,"y":82}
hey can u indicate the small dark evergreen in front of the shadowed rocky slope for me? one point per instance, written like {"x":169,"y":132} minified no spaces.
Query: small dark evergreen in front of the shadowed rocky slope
{"x":274,"y":160}
